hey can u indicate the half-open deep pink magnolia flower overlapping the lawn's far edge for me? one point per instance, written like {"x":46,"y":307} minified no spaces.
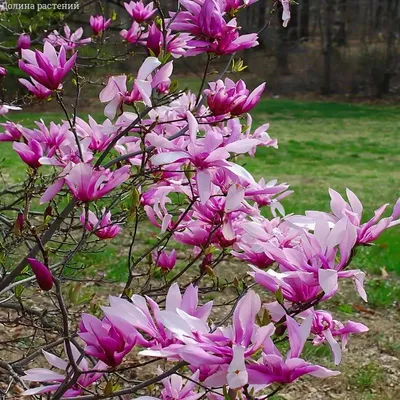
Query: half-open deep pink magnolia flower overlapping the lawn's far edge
{"x":228,"y":97}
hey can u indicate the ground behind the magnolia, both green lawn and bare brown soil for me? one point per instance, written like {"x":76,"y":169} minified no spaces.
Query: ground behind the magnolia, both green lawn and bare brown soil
{"x":324,"y":145}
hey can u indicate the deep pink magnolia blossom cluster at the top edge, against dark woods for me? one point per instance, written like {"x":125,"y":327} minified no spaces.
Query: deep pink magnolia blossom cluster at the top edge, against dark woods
{"x":204,"y":26}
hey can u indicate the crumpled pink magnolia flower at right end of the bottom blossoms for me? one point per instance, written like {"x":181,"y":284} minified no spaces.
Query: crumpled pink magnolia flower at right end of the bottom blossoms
{"x":325,"y":328}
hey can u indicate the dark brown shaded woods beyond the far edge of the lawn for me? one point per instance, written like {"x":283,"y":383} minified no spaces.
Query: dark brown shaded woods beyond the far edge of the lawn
{"x":346,"y":47}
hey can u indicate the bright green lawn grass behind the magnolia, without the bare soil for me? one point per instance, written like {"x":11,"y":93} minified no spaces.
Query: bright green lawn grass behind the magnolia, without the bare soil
{"x":321,"y":145}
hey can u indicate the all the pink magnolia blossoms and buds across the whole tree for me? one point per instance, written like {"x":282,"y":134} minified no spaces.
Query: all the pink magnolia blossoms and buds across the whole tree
{"x":187,"y":147}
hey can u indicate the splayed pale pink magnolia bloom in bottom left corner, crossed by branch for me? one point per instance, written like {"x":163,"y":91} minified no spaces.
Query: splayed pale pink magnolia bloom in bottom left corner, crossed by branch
{"x":55,"y":379}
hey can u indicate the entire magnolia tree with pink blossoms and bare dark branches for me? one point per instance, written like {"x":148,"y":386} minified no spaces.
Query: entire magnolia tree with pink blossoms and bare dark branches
{"x":168,"y":160}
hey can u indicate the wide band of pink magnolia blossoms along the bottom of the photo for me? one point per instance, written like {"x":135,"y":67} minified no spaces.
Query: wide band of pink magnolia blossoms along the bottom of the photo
{"x":217,"y":355}
